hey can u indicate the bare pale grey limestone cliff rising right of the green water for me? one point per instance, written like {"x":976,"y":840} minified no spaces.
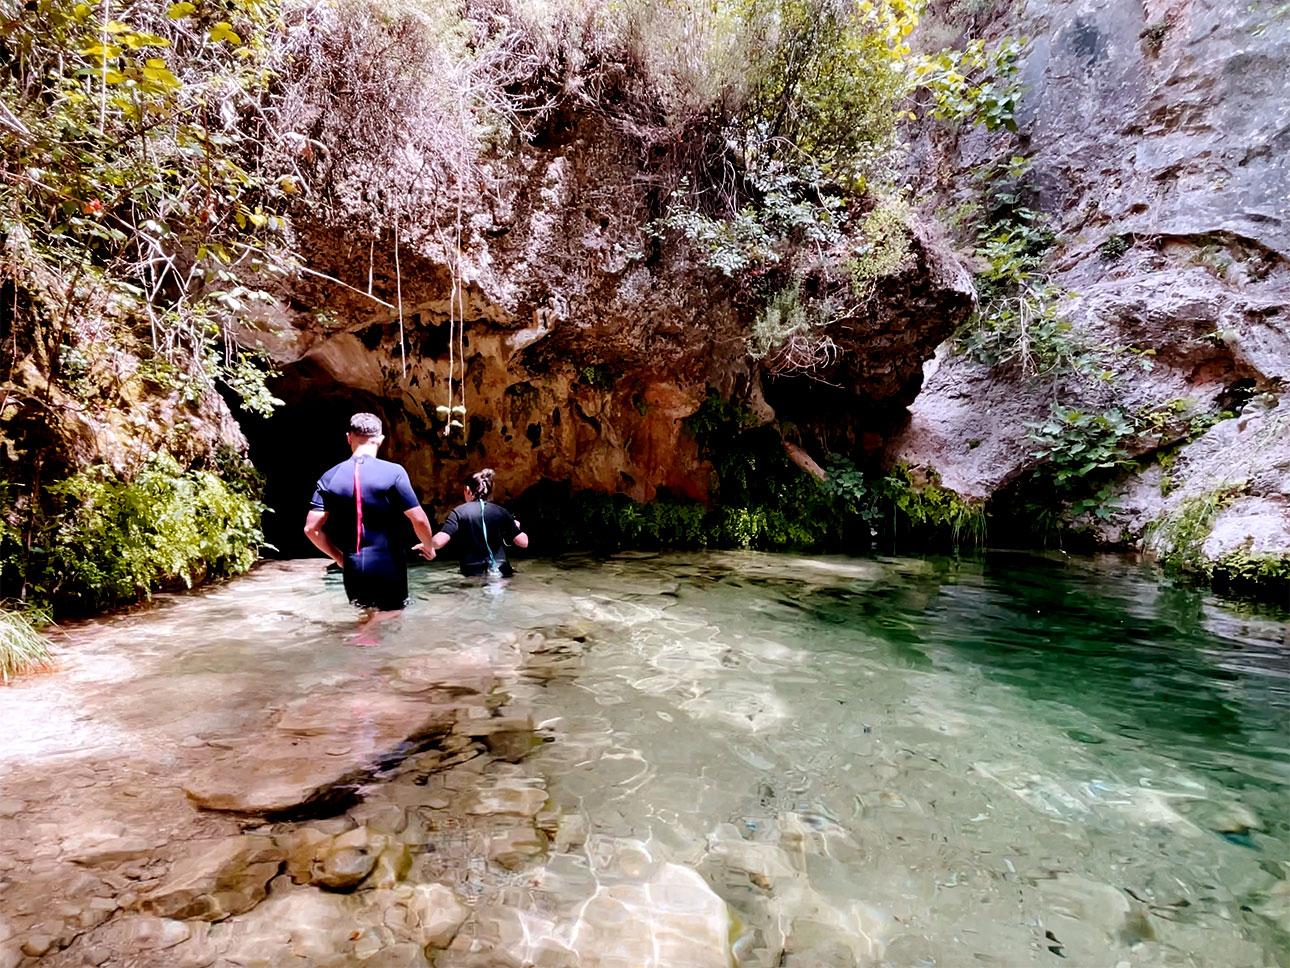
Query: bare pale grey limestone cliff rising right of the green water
{"x":1158,"y":136}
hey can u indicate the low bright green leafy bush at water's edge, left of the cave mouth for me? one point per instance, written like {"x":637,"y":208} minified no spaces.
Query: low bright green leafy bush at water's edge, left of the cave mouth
{"x":109,"y":543}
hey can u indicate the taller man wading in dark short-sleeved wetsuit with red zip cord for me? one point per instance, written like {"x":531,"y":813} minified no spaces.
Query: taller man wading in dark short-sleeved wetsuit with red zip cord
{"x":361,"y":501}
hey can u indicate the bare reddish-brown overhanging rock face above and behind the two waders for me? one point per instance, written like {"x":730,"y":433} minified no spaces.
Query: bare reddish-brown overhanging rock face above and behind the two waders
{"x":588,"y":338}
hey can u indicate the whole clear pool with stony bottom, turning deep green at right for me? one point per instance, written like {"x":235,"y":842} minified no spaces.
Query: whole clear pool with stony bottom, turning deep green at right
{"x":718,"y":760}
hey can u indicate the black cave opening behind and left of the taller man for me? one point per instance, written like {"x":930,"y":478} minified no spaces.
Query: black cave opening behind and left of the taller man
{"x":297,"y":443}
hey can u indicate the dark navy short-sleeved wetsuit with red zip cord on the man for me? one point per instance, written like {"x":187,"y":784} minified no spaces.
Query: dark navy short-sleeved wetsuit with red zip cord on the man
{"x":376,"y":567}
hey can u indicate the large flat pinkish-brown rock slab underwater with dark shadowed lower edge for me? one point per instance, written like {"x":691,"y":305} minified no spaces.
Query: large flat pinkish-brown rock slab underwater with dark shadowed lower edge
{"x":321,"y":749}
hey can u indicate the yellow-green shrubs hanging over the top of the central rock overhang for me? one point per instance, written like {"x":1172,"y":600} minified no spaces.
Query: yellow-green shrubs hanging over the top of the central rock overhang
{"x":809,"y":113}
